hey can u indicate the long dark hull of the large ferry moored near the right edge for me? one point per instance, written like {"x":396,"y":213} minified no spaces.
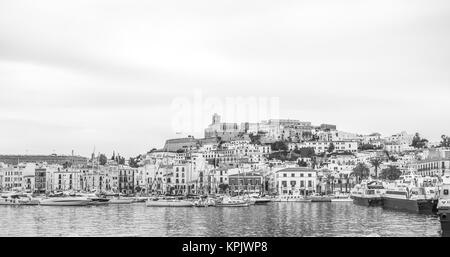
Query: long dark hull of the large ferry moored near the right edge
{"x":417,"y":206}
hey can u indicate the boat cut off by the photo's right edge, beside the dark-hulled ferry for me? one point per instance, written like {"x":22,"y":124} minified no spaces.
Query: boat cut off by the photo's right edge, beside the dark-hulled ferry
{"x":443,"y":207}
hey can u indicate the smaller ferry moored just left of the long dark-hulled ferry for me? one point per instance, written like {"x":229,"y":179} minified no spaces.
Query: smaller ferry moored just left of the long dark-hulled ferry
{"x":368,"y":193}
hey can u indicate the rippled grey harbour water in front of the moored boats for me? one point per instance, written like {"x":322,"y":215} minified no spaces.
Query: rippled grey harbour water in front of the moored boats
{"x":275,"y":219}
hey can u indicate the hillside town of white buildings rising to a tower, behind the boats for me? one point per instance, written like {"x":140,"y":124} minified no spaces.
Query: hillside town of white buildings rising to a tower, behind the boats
{"x":274,"y":157}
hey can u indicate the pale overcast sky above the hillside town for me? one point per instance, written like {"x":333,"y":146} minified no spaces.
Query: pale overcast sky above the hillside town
{"x":119,"y":75}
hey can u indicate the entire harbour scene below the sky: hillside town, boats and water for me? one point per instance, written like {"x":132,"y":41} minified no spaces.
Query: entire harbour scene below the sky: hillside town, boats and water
{"x":326,"y":183}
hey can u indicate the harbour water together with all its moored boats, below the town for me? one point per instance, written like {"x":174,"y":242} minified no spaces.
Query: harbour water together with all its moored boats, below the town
{"x":369,"y":210}
